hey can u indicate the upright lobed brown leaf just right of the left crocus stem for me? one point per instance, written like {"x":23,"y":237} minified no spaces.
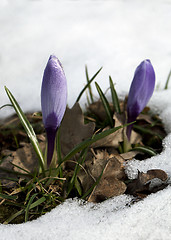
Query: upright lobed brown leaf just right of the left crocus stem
{"x":73,"y":130}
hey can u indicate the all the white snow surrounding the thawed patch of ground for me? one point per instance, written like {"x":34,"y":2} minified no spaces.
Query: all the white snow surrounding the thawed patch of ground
{"x":117,"y":35}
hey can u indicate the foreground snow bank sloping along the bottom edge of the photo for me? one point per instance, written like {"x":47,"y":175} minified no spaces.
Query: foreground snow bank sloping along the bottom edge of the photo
{"x":148,"y":219}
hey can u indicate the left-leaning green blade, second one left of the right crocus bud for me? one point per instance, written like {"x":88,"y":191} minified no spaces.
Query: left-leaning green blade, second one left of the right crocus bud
{"x":105,"y":104}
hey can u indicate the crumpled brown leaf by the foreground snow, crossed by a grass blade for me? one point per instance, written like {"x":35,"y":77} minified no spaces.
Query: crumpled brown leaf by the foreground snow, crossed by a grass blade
{"x":111,"y":183}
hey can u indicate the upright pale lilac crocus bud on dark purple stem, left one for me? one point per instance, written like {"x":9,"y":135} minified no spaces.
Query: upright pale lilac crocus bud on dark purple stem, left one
{"x":53,"y":101}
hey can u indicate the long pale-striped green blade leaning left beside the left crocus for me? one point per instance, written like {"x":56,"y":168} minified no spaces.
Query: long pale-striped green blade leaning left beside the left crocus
{"x":28,"y":128}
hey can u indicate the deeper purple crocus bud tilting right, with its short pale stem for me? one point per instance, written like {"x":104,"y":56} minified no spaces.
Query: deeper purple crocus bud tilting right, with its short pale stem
{"x":140,"y":92}
